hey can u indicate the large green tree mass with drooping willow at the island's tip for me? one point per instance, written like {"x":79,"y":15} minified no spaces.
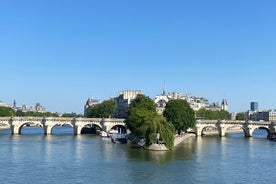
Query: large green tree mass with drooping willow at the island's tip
{"x":143,"y":121}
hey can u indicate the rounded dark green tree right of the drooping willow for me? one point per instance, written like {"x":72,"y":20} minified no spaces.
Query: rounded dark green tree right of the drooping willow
{"x":180,"y":114}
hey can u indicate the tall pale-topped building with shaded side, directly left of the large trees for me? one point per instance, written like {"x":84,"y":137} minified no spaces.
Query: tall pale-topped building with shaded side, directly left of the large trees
{"x":123,"y":102}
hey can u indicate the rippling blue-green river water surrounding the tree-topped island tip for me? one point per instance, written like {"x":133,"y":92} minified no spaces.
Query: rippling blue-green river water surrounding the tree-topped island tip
{"x":64,"y":158}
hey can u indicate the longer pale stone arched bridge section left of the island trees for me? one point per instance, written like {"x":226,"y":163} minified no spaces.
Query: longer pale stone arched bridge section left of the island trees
{"x":16,"y":123}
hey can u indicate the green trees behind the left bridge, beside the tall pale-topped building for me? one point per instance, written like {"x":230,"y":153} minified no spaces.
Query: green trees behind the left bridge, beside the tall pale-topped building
{"x":105,"y":109}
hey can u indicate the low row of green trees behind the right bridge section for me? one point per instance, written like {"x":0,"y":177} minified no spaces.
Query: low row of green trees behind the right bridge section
{"x":213,"y":115}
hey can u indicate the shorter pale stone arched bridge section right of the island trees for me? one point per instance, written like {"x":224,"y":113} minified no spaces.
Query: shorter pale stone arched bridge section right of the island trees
{"x":222,"y":126}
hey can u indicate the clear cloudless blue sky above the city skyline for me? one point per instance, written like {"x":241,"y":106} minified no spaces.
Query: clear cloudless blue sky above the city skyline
{"x":60,"y":52}
